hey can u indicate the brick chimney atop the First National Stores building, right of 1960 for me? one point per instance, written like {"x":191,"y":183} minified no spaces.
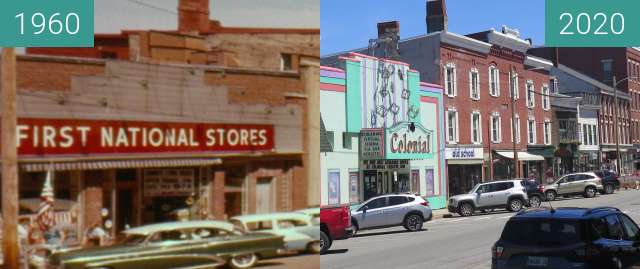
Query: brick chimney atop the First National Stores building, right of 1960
{"x":193,"y":16}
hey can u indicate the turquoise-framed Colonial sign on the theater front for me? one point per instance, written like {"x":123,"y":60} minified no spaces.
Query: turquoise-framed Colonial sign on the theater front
{"x":404,"y":143}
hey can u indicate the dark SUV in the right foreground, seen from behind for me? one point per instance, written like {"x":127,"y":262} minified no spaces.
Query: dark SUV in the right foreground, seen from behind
{"x":601,"y":237}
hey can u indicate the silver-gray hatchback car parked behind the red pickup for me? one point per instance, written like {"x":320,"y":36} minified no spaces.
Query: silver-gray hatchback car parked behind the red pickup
{"x":407,"y":210}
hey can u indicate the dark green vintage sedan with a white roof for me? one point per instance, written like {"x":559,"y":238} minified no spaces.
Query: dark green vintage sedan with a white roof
{"x":188,"y":244}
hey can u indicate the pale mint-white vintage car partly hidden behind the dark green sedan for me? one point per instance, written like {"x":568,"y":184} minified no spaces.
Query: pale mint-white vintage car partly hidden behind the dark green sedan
{"x":298,"y":230}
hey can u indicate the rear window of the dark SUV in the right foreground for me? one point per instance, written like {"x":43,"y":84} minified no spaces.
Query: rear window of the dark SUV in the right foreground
{"x":542,"y":232}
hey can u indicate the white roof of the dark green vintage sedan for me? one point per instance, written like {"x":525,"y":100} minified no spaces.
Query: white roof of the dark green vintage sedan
{"x":175,"y":225}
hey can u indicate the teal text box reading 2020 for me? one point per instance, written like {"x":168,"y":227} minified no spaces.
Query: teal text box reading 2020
{"x":594,"y":23}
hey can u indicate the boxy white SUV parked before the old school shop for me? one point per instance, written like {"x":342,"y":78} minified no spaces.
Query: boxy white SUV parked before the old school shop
{"x":509,"y":194}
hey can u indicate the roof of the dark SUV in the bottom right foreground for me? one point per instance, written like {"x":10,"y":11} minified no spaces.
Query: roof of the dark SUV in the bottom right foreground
{"x":565,"y":213}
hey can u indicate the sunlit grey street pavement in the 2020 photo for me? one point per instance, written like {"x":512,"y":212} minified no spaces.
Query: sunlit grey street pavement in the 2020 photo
{"x":454,"y":242}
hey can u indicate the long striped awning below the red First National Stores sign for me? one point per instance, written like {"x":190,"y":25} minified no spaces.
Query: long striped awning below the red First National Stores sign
{"x":118,"y":164}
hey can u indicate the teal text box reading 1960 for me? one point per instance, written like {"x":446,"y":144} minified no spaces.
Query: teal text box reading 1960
{"x":72,"y":27}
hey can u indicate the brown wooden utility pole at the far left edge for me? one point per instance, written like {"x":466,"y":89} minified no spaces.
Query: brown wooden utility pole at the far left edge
{"x":9,"y":160}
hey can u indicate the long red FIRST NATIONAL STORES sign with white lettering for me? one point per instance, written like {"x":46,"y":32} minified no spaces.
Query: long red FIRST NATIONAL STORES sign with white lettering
{"x":37,"y":137}
